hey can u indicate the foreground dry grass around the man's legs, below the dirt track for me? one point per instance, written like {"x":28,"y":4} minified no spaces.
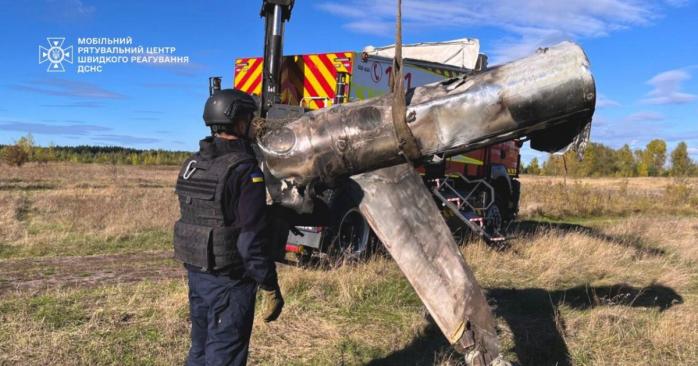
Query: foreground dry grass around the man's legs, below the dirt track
{"x":328,"y":315}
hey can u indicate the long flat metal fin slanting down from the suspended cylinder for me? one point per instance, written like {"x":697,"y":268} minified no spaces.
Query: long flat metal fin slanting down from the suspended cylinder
{"x":404,"y":215}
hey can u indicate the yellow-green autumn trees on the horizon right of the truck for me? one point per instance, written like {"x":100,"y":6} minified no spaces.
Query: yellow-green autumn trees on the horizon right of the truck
{"x":603,"y":161}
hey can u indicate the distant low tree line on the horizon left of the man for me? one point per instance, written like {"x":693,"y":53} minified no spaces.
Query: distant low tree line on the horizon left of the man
{"x":25,"y":150}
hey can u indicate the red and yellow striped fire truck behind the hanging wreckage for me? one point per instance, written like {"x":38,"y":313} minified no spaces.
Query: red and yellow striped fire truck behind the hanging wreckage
{"x":478,"y":191}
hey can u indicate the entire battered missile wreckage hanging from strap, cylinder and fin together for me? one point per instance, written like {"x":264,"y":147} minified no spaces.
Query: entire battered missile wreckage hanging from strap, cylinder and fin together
{"x":548,"y":97}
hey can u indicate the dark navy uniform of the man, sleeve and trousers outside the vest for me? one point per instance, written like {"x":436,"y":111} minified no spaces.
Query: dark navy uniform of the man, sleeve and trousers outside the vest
{"x":222,"y":303}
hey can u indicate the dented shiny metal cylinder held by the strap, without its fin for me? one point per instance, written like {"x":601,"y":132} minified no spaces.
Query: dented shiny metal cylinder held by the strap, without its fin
{"x":553,"y":87}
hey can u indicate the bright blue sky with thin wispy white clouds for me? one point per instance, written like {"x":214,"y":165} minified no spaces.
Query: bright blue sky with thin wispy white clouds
{"x":644,"y":56}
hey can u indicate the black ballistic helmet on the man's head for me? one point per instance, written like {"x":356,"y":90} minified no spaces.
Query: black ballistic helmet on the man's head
{"x":224,"y":106}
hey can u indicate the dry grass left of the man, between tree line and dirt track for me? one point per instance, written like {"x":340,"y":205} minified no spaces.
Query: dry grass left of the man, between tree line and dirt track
{"x":76,"y":209}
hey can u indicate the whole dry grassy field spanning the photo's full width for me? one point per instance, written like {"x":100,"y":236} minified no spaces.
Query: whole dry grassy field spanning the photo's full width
{"x":601,"y":272}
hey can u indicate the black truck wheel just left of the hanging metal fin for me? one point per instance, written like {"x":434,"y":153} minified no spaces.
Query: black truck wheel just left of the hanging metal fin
{"x":353,"y":237}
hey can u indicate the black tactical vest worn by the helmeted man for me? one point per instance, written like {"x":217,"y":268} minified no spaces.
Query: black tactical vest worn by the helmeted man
{"x":203,"y":236}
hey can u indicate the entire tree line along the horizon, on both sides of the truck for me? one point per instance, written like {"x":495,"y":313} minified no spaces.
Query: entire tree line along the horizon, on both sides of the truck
{"x":599,"y":160}
